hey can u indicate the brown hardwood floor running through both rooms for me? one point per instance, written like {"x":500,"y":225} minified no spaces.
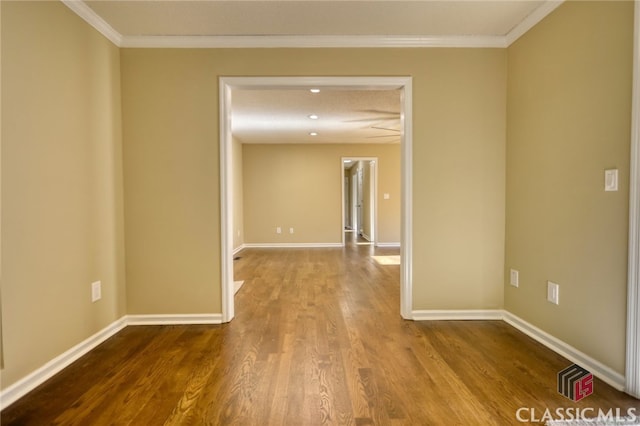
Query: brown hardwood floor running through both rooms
{"x":317,"y":340}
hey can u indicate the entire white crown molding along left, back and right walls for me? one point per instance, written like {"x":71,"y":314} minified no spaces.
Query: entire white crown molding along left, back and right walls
{"x":309,"y":41}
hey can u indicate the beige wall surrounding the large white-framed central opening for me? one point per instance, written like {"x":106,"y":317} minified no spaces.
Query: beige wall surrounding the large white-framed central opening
{"x":170,"y":110}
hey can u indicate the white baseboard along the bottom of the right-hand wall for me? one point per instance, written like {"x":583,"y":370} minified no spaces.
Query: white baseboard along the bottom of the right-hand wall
{"x":598,"y":369}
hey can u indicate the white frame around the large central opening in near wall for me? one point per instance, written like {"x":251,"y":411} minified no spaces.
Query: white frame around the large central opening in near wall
{"x":226,"y":86}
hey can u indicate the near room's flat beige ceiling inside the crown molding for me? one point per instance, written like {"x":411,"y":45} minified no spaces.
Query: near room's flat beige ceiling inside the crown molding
{"x":324,"y":17}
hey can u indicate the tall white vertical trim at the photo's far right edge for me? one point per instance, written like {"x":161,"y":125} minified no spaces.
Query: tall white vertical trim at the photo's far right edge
{"x":633,"y":284}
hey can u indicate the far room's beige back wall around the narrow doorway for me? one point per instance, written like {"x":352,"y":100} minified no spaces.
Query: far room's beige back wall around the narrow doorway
{"x":300,"y":186}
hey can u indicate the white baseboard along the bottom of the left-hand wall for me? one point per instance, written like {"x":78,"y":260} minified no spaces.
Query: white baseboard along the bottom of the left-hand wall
{"x":25,"y":385}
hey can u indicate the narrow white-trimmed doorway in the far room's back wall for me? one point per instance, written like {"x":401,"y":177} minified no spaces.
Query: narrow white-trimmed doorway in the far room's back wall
{"x":359,"y":200}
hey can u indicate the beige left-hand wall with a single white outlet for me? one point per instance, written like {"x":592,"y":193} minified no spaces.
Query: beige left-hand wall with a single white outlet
{"x":62,"y":219}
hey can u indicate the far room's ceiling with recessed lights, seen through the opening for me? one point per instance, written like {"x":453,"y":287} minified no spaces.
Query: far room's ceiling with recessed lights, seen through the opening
{"x":330,"y":116}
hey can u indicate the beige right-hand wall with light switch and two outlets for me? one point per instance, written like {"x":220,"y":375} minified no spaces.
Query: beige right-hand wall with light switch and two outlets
{"x":569,"y":120}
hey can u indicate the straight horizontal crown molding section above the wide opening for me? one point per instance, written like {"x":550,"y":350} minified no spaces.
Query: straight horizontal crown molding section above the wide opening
{"x":312,"y":41}
